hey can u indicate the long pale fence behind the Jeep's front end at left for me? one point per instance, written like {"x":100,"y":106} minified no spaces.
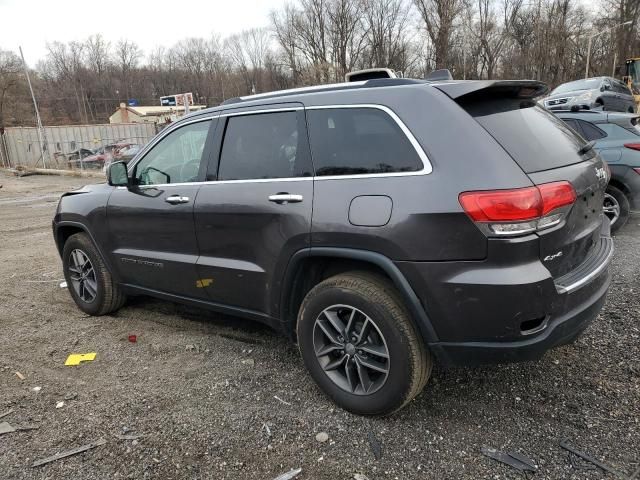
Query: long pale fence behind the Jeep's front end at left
{"x":82,"y":147}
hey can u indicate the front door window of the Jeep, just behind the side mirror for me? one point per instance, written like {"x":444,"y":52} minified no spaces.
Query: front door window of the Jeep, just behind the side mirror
{"x":176,"y":158}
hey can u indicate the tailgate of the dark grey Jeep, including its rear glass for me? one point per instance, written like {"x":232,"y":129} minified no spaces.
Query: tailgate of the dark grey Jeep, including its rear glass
{"x":547,"y":150}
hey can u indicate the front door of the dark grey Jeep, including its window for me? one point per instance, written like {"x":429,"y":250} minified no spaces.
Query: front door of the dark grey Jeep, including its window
{"x":151,"y":223}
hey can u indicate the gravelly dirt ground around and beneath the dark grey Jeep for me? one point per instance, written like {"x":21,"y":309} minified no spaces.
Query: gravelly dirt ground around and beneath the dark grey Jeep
{"x":200,"y":389}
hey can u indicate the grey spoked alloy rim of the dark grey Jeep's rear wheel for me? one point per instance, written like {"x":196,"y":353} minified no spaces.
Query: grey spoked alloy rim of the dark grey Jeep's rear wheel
{"x":351,"y":349}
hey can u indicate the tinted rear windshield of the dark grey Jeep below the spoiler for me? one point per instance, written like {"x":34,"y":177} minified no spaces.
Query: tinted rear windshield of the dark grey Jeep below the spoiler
{"x":535,"y":138}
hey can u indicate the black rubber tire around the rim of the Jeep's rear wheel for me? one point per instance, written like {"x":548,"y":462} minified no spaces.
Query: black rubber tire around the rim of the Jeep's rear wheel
{"x":409,"y":363}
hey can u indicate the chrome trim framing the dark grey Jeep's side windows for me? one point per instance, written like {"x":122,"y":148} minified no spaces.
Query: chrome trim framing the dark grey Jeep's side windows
{"x":426,"y":164}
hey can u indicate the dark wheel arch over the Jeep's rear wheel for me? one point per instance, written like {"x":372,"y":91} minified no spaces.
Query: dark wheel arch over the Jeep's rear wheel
{"x":310,"y":266}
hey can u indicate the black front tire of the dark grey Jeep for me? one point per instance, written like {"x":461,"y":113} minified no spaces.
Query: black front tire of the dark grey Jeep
{"x":108,"y":295}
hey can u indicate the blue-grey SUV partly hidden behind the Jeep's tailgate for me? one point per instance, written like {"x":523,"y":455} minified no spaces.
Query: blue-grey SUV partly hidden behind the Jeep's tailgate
{"x":616,"y":137}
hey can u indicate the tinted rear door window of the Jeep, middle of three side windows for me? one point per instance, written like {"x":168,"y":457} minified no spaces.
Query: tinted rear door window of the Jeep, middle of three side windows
{"x":267,"y":145}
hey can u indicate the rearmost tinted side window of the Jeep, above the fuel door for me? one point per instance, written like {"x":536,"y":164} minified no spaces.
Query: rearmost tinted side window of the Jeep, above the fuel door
{"x":351,"y":141}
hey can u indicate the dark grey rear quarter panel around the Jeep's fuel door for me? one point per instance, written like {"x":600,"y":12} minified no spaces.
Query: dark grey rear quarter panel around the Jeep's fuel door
{"x":427,"y":221}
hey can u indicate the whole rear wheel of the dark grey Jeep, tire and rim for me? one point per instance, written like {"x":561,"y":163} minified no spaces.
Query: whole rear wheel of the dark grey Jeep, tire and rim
{"x":360,"y":345}
